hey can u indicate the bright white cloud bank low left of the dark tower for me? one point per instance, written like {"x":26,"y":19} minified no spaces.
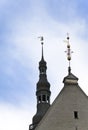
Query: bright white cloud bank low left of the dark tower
{"x":14,"y":118}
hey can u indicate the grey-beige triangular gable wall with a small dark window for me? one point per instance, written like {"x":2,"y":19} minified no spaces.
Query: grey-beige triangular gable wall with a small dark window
{"x":60,"y":115}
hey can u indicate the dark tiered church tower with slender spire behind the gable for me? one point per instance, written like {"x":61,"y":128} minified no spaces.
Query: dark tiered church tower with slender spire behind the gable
{"x":42,"y":92}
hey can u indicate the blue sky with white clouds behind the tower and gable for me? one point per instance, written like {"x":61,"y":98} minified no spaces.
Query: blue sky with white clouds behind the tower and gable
{"x":21,"y":23}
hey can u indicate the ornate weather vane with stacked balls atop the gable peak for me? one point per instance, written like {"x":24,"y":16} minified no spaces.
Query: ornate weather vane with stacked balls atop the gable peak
{"x":69,"y":52}
